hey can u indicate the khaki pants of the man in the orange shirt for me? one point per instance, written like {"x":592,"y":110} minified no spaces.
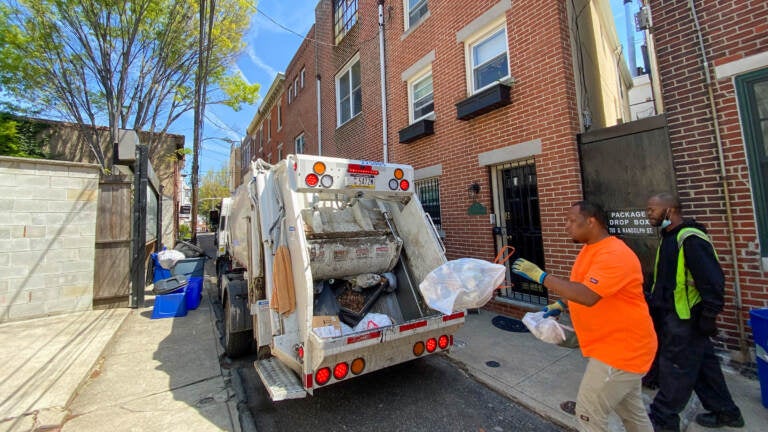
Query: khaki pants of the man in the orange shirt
{"x":605,"y":389}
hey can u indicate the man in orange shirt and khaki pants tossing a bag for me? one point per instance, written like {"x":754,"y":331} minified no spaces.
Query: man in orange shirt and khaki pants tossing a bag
{"x":610,"y":317}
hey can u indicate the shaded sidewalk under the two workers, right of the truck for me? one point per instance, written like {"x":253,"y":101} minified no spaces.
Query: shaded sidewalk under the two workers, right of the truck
{"x":540,"y":376}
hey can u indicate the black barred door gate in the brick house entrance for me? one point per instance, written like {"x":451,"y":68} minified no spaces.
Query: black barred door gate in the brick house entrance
{"x":518,"y":224}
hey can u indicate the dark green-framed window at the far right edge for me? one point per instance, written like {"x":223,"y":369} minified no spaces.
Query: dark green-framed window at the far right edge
{"x":752,"y":92}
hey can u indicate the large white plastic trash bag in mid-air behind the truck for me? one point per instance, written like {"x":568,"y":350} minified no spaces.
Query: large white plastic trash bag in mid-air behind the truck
{"x":460,"y":284}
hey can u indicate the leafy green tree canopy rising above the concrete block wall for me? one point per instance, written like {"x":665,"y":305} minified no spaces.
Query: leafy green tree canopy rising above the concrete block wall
{"x":132,"y":64}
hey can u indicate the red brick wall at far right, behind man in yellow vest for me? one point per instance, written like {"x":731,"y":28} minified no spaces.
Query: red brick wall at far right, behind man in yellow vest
{"x":731,"y":31}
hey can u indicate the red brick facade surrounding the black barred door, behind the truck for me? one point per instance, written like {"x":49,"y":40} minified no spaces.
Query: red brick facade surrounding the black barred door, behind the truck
{"x":543,"y":107}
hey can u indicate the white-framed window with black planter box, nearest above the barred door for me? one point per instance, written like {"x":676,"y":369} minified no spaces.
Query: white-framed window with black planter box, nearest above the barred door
{"x":488,"y":59}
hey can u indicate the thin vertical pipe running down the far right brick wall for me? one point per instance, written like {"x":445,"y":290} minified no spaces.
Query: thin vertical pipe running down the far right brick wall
{"x":728,"y":212}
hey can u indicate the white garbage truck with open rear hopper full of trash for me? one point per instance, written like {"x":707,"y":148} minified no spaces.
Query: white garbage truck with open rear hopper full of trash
{"x":321,"y":272}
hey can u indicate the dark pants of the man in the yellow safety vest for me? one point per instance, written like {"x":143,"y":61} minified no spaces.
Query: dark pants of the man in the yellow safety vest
{"x":687,"y":363}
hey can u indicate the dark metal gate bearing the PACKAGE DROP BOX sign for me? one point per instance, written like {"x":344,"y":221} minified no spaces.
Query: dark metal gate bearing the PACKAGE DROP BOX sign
{"x":622,"y":166}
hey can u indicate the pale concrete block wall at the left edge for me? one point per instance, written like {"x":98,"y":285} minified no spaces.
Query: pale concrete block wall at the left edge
{"x":47,"y":237}
